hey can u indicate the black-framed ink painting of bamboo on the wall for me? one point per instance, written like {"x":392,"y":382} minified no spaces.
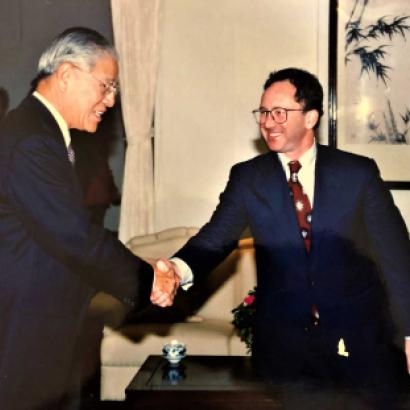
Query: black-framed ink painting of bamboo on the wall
{"x":368,"y":109}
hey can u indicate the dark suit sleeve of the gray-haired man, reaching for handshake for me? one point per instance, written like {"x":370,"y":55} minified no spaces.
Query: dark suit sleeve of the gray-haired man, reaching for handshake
{"x":42,"y":189}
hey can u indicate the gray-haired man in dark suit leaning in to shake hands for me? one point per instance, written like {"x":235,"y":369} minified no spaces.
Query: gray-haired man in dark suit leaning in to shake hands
{"x":53,"y":260}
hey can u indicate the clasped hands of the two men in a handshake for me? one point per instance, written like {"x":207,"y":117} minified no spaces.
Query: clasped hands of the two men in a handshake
{"x":166,"y":283}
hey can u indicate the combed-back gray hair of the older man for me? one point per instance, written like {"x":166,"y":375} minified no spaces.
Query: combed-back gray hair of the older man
{"x":78,"y":45}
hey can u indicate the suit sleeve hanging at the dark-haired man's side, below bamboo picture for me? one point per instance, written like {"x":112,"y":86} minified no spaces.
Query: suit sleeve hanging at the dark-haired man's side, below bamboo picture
{"x":390,"y":241}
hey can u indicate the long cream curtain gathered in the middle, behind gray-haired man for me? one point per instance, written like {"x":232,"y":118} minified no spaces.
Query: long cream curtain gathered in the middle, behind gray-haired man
{"x":136,"y":33}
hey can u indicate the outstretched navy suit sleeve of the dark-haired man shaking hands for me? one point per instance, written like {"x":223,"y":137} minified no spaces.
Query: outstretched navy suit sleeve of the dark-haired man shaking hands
{"x":216,"y":239}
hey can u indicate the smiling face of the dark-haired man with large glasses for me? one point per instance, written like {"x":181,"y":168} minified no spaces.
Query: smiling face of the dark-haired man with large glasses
{"x":295,"y":136}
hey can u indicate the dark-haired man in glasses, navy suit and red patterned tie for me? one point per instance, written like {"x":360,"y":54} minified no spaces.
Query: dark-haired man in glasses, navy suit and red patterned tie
{"x":329,"y":243}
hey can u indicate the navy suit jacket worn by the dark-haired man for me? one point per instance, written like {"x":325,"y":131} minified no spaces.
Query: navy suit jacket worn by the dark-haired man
{"x":360,"y":250}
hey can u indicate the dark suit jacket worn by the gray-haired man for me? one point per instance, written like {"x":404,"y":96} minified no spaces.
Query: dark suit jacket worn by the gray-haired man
{"x":52,"y":260}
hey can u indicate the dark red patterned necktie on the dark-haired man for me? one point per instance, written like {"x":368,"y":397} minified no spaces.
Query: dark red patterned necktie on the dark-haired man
{"x":302,"y":204}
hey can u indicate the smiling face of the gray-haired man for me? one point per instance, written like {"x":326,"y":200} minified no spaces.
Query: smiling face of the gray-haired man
{"x":88,"y":97}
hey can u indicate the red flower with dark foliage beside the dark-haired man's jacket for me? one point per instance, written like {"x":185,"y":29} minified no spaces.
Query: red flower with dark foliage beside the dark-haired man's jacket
{"x":243,"y":317}
